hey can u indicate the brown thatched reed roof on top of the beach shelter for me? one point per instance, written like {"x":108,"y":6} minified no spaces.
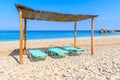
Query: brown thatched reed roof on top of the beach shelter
{"x":30,"y":13}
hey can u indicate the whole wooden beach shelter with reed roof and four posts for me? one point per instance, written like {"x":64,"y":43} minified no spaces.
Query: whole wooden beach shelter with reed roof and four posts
{"x":29,"y":13}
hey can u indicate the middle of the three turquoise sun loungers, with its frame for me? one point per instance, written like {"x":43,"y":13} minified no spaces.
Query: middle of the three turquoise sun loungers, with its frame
{"x":58,"y":51}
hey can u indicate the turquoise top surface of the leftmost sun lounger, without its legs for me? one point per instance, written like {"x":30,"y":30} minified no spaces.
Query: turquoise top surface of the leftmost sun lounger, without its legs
{"x":37,"y":53}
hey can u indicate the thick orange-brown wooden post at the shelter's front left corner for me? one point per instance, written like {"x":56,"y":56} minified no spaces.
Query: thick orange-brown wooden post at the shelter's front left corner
{"x":21,"y":38}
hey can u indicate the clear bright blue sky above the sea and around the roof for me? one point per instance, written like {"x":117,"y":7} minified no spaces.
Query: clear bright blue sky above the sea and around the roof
{"x":108,"y":11}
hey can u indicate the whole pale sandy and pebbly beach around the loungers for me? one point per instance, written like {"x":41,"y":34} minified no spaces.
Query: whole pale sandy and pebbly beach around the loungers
{"x":103,"y":65}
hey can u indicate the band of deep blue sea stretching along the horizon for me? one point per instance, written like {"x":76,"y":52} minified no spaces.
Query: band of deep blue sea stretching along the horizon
{"x":14,"y":35}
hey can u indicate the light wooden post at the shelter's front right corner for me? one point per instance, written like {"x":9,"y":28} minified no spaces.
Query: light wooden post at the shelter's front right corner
{"x":92,"y":36}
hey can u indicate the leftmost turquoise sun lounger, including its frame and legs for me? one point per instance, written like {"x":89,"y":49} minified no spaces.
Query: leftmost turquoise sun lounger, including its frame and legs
{"x":35,"y":54}
